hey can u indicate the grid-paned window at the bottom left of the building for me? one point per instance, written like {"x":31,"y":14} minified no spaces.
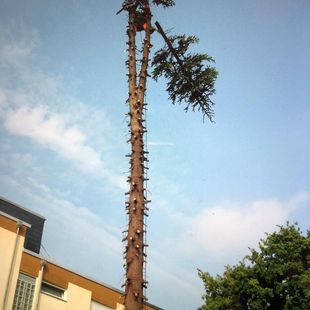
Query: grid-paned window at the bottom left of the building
{"x":24,"y":293}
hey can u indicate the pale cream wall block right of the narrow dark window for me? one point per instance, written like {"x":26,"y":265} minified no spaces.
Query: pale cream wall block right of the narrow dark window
{"x":78,"y":298}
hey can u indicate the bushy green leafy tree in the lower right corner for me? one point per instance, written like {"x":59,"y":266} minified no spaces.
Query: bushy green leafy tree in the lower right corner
{"x":277,"y":276}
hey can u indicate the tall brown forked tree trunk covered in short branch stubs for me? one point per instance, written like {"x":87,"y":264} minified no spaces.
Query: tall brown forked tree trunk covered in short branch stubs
{"x":136,"y":204}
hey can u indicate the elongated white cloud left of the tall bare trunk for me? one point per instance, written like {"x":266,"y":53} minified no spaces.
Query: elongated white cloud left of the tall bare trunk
{"x":51,"y":131}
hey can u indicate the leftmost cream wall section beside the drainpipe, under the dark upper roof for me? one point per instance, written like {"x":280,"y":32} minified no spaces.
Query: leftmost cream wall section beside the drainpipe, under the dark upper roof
{"x":7,"y":245}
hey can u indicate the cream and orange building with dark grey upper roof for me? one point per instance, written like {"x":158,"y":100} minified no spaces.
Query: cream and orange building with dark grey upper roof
{"x":30,"y":282}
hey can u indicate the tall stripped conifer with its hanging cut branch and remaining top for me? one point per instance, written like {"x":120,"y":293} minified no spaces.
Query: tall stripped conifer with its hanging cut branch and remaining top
{"x":189,"y":80}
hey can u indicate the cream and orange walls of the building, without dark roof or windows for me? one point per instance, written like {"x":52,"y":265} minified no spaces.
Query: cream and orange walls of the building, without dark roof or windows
{"x":80,"y":291}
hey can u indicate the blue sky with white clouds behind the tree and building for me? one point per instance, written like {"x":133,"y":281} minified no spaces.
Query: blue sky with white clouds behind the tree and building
{"x":215,"y":188}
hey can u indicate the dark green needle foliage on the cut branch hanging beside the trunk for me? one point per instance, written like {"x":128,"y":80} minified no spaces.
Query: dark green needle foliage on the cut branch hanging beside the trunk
{"x":188,"y":79}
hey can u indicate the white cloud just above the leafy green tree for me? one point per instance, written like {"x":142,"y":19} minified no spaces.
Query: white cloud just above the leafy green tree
{"x":228,"y":229}
